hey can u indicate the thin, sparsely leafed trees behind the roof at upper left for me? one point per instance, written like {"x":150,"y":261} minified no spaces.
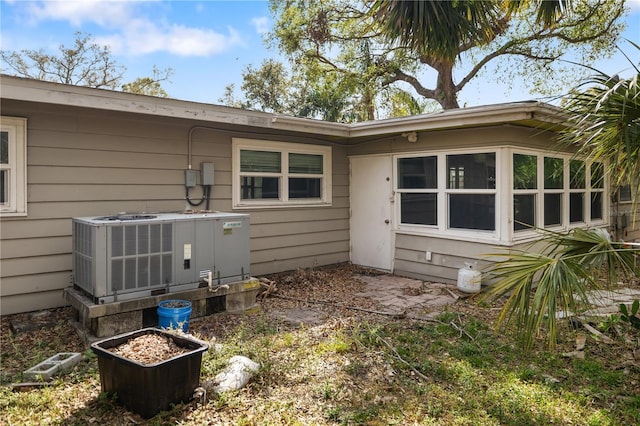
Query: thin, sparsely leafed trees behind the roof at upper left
{"x":84,"y":64}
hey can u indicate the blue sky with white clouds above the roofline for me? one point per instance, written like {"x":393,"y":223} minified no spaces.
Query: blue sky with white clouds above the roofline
{"x":207,"y":43}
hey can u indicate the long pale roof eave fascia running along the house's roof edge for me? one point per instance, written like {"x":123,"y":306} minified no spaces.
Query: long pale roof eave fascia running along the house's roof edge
{"x":531,"y":114}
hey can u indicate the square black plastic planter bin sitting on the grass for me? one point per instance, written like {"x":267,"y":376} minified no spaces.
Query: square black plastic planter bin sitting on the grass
{"x":147,"y":389}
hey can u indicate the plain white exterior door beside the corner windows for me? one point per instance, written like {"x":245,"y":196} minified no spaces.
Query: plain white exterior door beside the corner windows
{"x":371,"y":196}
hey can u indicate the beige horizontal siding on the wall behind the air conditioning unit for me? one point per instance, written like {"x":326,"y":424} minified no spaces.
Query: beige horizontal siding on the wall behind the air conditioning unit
{"x":86,"y":162}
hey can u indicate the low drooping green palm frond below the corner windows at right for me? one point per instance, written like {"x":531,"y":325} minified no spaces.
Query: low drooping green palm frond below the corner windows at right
{"x":540,"y":284}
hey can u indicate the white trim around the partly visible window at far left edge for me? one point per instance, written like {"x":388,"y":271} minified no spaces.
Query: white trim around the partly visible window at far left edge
{"x":17,"y":168}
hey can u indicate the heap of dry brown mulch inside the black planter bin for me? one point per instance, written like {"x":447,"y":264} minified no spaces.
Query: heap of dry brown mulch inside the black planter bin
{"x":149,"y":349}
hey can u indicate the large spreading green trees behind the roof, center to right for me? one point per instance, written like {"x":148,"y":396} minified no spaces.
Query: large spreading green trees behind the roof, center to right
{"x":353,"y":43}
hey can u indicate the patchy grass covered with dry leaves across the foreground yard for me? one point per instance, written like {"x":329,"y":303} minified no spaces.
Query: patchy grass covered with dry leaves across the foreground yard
{"x":355,"y":367}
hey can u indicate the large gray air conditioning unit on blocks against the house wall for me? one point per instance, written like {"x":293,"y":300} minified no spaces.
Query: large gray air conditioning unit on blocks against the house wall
{"x":138,"y":255}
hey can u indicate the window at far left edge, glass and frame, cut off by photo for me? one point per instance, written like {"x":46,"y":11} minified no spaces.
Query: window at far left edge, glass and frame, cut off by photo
{"x":13,"y":182}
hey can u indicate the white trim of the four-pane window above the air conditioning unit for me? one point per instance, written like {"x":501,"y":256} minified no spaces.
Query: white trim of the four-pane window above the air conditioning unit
{"x":326,"y":198}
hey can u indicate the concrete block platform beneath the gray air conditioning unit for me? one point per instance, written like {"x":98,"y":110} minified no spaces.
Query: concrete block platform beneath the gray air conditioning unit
{"x":109,"y":319}
